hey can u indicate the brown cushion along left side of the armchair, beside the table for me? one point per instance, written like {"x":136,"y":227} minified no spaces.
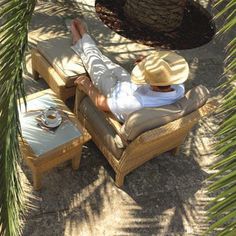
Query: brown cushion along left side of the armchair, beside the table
{"x":100,"y":127}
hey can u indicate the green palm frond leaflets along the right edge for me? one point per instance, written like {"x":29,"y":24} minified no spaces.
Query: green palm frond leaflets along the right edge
{"x":223,"y":206}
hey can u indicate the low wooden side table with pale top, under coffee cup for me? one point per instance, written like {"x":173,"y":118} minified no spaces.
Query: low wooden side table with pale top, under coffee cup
{"x":43,"y":150}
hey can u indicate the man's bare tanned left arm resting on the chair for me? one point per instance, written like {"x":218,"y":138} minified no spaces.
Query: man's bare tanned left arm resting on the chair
{"x":88,"y":88}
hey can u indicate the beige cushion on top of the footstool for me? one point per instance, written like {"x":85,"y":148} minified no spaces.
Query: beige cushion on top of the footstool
{"x":59,"y":54}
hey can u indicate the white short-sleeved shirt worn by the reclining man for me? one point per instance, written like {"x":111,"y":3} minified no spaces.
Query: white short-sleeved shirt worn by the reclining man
{"x":128,"y":97}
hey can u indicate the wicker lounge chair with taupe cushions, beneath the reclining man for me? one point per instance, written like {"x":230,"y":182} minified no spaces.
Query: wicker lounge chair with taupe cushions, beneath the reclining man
{"x":146,"y":133}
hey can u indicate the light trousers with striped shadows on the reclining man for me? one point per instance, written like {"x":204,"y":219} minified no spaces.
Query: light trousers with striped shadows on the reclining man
{"x":103,"y":72}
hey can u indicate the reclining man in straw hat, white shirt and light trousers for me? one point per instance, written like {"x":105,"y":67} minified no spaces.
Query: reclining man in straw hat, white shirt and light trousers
{"x":156,"y":80}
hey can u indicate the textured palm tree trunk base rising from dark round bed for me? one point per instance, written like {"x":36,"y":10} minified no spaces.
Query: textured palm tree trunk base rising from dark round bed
{"x":158,"y":15}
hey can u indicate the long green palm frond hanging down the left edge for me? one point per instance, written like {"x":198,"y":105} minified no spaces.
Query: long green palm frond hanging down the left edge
{"x":14,"y":18}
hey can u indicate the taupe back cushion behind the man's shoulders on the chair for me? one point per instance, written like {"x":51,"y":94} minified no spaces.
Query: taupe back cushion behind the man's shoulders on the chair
{"x":153,"y":117}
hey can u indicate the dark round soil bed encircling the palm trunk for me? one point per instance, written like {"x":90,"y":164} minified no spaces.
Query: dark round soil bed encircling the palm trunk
{"x":197,"y":26}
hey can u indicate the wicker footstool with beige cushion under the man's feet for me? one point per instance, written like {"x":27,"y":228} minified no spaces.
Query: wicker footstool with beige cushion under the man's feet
{"x":58,"y":65}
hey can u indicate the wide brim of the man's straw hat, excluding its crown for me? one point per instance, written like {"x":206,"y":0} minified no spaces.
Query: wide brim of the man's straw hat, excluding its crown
{"x":138,"y":75}
